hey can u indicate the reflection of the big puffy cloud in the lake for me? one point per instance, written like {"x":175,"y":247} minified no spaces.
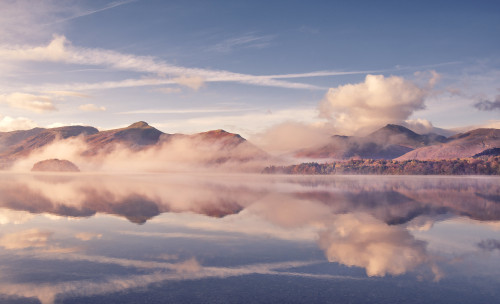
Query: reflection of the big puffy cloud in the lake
{"x":362,"y":240}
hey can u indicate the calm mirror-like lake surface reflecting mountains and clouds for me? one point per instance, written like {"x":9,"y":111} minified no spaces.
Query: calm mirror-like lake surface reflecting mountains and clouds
{"x":195,"y":238}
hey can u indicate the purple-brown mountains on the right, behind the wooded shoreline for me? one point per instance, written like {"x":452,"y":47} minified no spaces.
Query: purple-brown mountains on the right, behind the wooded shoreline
{"x":400,"y":143}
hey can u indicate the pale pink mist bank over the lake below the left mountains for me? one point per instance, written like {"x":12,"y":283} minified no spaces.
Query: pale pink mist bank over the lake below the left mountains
{"x":181,"y":153}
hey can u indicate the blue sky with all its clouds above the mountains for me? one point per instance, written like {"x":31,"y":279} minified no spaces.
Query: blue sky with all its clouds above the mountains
{"x":255,"y":68}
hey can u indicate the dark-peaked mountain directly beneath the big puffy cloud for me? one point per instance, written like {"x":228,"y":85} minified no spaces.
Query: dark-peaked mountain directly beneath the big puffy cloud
{"x":388,"y":142}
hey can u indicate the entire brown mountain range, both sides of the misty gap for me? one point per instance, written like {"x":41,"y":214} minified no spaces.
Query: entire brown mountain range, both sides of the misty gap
{"x":218,"y":146}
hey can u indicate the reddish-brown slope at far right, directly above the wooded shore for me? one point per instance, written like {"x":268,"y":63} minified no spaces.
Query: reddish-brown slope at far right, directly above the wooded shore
{"x":461,"y":145}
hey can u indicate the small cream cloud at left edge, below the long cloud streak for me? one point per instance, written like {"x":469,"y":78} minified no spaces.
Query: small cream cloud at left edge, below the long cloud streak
{"x":34,"y":103}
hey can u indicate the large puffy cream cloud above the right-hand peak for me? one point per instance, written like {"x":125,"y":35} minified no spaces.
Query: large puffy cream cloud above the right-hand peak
{"x":373,"y":103}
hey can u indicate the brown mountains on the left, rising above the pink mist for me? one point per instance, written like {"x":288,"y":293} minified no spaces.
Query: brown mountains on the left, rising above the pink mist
{"x":217,"y":146}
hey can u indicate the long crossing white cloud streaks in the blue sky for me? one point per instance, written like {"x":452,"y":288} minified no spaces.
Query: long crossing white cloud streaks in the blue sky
{"x":60,"y":50}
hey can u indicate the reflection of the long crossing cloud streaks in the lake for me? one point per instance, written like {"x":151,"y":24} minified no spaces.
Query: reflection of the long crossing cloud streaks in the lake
{"x":163,"y":272}
